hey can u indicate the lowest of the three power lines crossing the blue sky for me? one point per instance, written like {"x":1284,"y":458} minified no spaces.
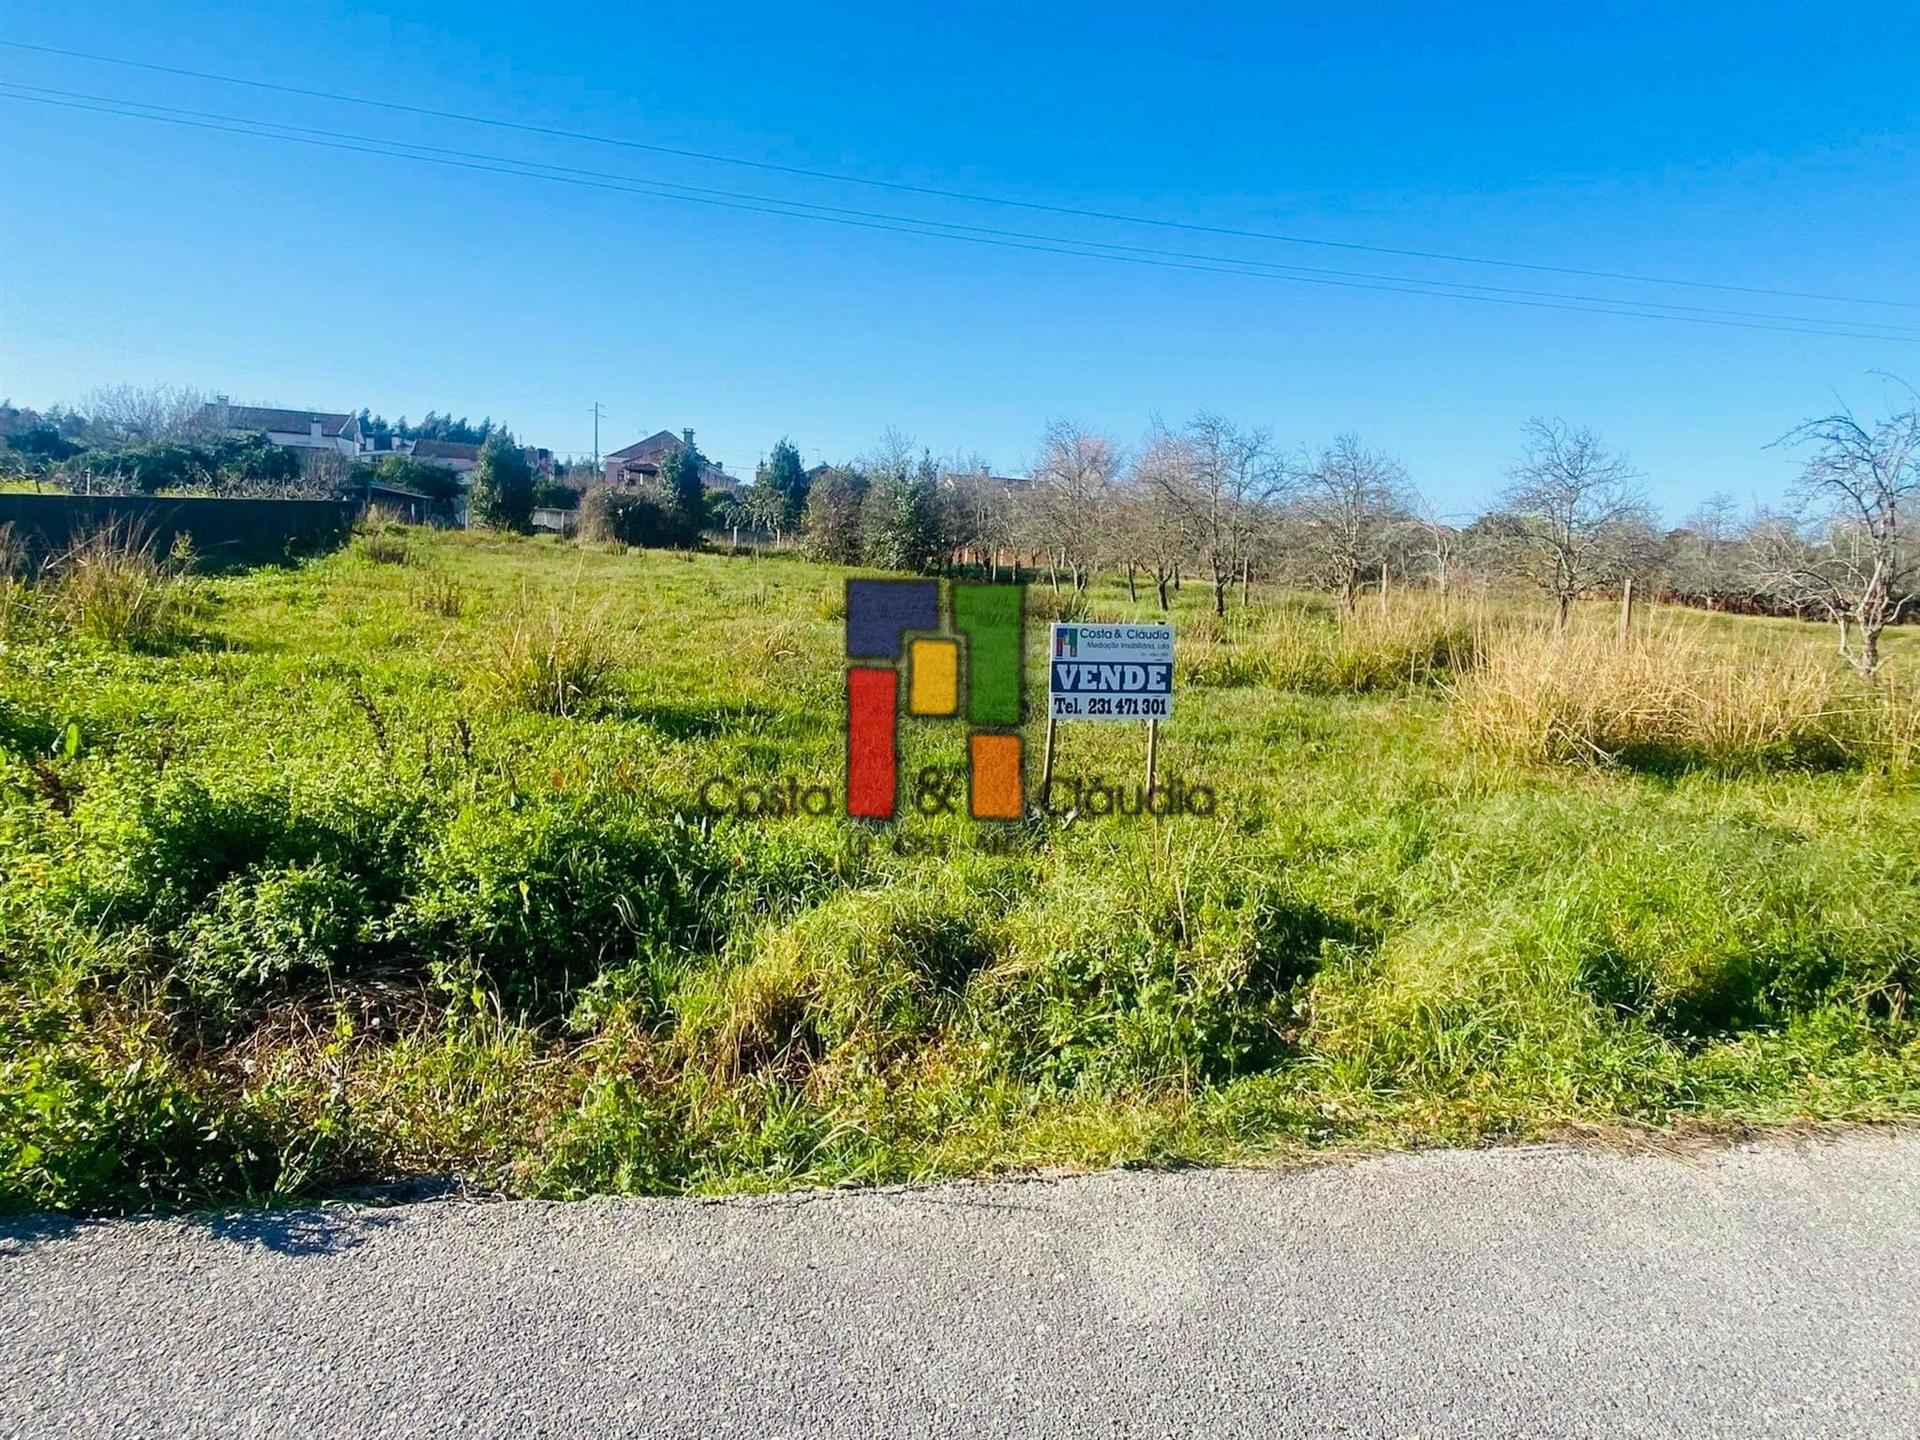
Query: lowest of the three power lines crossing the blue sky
{"x":946,"y":229}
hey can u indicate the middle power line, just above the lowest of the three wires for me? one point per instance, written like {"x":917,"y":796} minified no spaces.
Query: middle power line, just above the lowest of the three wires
{"x":132,"y":108}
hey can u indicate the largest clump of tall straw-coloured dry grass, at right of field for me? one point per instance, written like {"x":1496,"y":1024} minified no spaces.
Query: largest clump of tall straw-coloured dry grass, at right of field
{"x":1668,"y":698}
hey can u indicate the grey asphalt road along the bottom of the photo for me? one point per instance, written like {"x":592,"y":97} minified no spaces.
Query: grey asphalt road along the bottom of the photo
{"x":1769,"y":1289}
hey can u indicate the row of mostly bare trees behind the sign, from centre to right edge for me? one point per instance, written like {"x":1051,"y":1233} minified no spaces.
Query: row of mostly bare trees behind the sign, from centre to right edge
{"x":1224,"y":506}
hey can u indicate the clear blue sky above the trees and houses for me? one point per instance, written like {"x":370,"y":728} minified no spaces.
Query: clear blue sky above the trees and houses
{"x":1760,"y":147}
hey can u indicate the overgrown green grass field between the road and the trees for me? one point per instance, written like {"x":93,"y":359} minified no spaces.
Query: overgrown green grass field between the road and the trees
{"x":393,"y":865}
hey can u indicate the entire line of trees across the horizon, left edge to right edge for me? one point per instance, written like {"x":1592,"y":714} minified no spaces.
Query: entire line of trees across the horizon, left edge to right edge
{"x":1207,"y":502}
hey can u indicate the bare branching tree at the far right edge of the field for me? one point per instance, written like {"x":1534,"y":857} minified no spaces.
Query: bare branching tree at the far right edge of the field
{"x":1856,"y":556}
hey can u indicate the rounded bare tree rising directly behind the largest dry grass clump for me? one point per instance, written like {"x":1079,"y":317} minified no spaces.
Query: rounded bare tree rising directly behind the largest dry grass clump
{"x":1573,"y":504}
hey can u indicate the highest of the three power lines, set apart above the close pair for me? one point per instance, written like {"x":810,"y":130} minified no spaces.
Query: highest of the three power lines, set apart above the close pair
{"x":944,"y":193}
